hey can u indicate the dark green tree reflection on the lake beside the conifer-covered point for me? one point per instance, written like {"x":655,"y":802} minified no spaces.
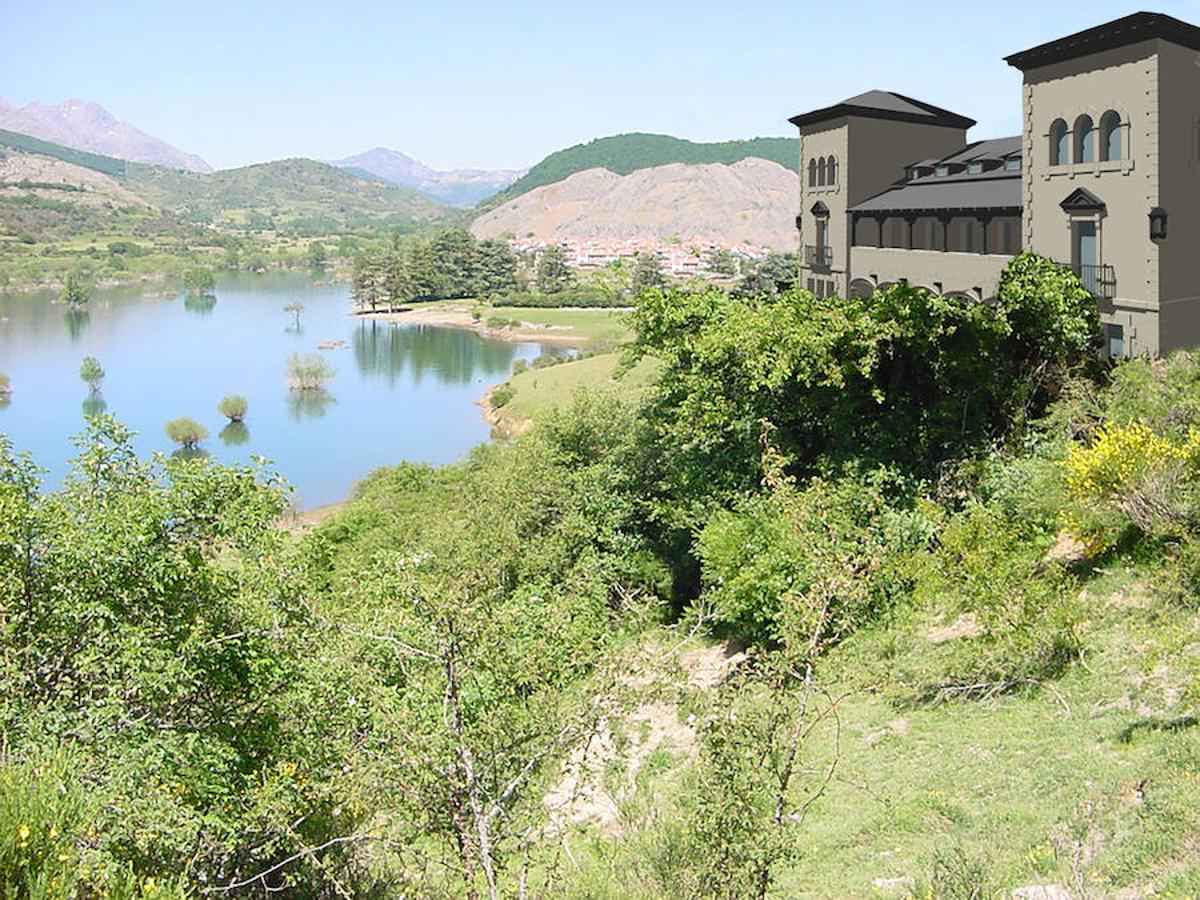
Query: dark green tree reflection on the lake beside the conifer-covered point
{"x":451,"y":356}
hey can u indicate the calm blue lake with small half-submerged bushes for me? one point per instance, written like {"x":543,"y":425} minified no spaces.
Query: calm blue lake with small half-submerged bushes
{"x":401,"y":393}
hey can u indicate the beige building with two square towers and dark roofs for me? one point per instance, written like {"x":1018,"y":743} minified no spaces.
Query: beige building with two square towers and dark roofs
{"x":1106,"y":178}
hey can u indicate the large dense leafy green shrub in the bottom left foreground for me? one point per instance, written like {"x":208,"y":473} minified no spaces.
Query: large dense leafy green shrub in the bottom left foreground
{"x":154,"y":635}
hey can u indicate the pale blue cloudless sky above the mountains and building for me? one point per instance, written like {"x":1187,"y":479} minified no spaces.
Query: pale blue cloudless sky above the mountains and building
{"x":501,"y":85}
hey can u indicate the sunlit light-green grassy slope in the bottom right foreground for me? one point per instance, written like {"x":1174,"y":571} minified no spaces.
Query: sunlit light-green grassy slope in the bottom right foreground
{"x":1089,"y":784}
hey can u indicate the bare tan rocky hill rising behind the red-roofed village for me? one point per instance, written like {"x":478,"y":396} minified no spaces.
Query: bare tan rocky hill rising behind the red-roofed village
{"x":752,"y":202}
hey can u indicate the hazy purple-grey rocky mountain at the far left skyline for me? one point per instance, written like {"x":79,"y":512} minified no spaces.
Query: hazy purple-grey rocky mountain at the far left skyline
{"x":88,"y":127}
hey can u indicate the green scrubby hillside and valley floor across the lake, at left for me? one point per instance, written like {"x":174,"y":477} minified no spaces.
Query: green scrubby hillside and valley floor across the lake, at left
{"x":255,"y":218}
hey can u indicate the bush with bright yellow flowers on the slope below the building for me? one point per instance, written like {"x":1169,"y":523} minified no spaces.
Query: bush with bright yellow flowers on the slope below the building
{"x":1132,"y":471}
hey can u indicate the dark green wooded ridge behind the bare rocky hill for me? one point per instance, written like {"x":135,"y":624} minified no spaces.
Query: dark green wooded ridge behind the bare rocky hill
{"x":625,"y":154}
